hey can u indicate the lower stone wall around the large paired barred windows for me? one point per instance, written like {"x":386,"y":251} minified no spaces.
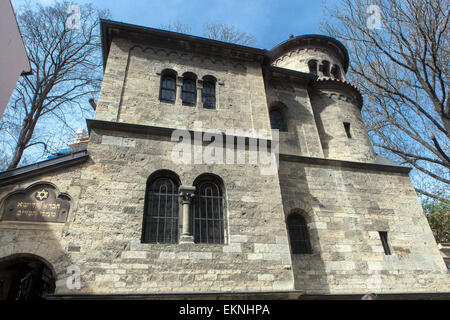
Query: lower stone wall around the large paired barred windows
{"x":103,"y":233}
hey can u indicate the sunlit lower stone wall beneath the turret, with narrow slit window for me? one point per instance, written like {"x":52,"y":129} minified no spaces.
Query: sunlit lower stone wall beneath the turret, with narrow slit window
{"x":345,"y":208}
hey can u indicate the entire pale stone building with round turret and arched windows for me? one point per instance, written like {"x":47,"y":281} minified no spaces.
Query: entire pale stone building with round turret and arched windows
{"x":124,"y":217}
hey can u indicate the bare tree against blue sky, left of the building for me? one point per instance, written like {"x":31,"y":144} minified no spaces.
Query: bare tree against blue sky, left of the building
{"x":67,"y":71}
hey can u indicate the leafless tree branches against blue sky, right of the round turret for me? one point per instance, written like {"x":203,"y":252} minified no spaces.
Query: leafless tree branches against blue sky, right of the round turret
{"x":403,"y":73}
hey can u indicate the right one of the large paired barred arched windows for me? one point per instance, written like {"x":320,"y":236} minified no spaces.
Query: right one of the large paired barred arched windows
{"x":208,"y":212}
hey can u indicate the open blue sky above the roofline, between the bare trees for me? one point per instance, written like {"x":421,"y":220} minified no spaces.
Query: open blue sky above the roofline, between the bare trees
{"x":270,"y":21}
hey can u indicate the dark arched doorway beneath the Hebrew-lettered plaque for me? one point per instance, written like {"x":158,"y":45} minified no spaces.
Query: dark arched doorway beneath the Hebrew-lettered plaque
{"x":25,"y":277}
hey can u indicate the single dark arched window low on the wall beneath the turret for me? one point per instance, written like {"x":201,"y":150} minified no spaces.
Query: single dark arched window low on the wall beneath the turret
{"x":298,"y":234}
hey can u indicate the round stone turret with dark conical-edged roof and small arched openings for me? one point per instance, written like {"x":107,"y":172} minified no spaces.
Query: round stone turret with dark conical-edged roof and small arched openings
{"x":336,"y":103}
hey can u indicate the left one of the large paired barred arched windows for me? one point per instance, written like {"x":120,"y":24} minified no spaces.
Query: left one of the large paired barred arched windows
{"x":161,"y":211}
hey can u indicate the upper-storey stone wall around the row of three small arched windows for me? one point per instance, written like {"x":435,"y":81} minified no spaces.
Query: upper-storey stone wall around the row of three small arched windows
{"x":131,"y":87}
